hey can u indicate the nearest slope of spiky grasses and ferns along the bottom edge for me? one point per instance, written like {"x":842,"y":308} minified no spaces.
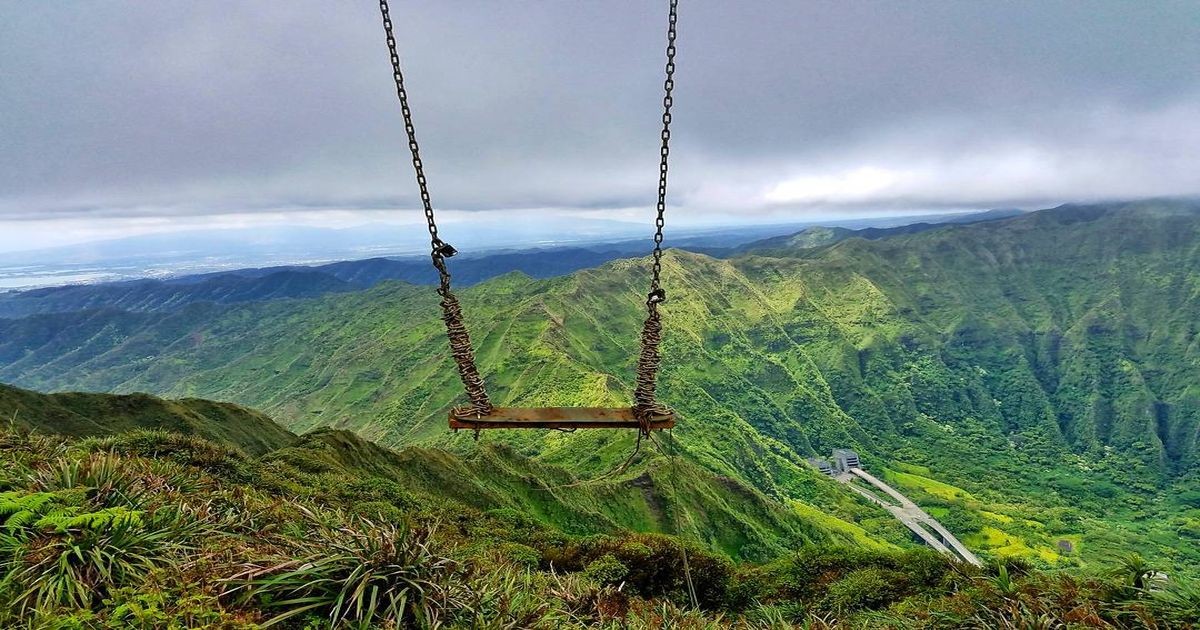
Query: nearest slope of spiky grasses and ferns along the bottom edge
{"x":158,"y":530}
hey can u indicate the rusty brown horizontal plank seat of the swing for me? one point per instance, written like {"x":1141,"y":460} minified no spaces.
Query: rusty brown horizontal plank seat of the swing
{"x":565,"y":418}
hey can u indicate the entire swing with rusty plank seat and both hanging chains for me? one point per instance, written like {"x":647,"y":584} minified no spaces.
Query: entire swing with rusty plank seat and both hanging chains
{"x":646,"y":415}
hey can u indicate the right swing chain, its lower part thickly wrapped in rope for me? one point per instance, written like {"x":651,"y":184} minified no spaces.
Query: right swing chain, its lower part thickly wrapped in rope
{"x":645,"y":400}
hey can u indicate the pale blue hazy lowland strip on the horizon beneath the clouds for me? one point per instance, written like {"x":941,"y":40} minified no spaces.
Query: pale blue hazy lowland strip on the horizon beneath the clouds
{"x":191,"y":253}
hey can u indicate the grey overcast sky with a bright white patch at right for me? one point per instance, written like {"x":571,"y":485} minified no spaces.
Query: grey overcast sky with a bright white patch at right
{"x":127,"y":117}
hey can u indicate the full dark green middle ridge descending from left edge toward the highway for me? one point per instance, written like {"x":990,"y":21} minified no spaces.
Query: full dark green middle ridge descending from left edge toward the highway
{"x":655,"y":494}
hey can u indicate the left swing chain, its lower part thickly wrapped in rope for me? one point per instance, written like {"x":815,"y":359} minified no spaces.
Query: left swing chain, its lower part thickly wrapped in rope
{"x":452,"y":311}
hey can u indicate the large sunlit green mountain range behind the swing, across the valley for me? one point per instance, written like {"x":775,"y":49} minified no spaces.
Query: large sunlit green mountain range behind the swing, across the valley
{"x":1031,"y":380}
